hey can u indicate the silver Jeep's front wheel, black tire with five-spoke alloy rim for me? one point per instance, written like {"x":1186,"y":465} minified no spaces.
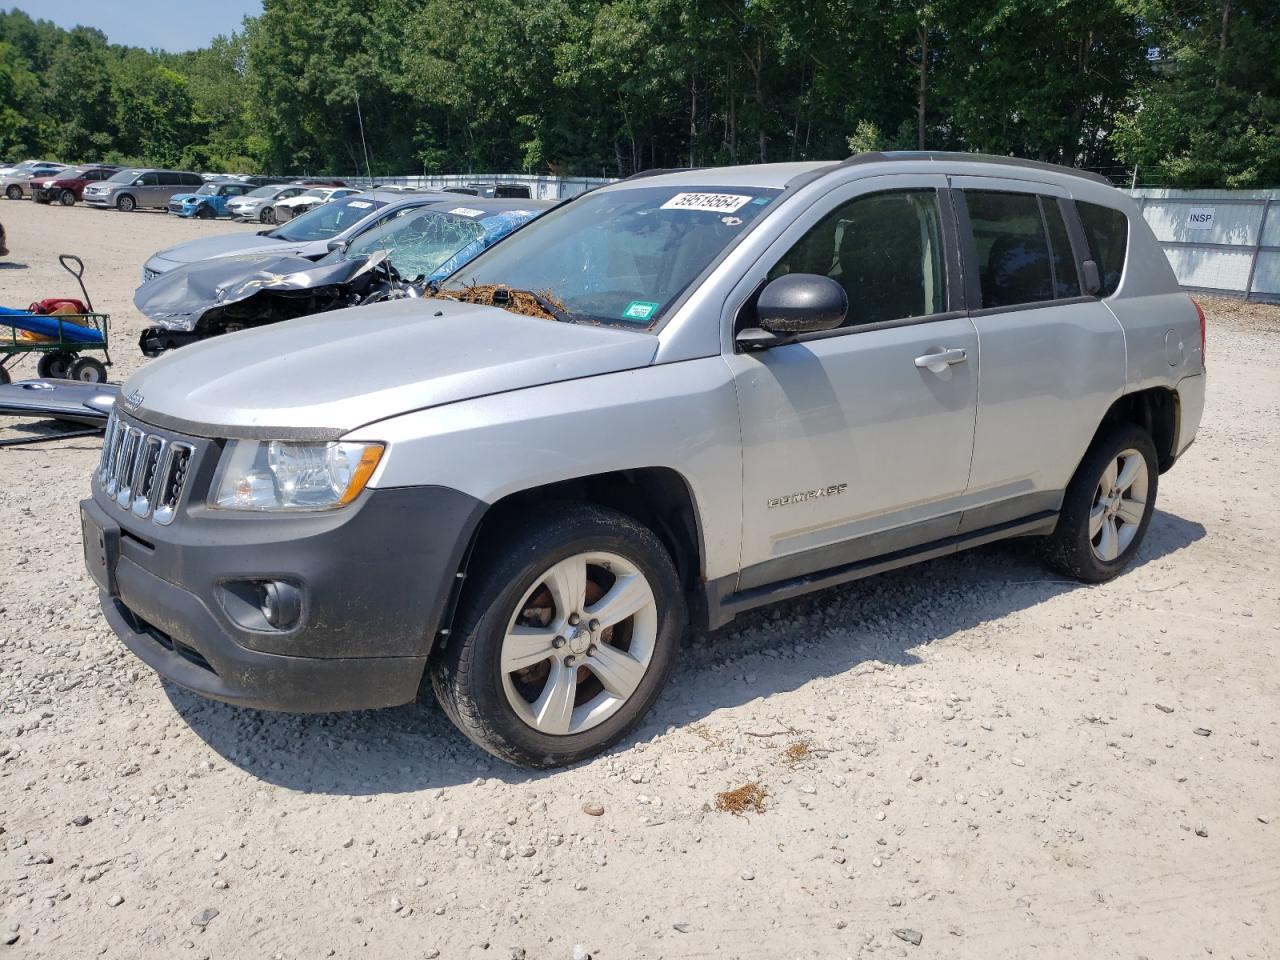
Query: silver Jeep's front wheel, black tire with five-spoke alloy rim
{"x":565,"y":638}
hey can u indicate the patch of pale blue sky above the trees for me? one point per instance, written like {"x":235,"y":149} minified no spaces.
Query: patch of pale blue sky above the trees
{"x":168,"y":25}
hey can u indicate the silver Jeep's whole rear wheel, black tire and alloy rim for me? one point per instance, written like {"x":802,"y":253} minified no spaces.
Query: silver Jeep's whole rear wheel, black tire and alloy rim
{"x":1108,"y":508}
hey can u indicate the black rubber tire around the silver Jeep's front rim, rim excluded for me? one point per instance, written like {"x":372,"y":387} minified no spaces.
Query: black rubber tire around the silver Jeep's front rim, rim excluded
{"x":468,"y":678}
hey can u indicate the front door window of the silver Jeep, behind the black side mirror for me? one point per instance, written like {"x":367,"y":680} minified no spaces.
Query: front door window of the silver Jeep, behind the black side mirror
{"x":885,"y":250}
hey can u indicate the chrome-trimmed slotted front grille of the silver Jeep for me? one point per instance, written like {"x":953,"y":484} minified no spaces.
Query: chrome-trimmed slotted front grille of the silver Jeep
{"x":144,"y":473}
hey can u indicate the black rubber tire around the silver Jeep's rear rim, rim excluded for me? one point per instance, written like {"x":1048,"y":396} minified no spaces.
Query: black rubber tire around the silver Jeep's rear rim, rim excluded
{"x":1071,"y":550}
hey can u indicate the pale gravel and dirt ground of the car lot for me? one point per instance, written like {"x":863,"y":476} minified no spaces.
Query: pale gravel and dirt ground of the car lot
{"x":973,"y":753}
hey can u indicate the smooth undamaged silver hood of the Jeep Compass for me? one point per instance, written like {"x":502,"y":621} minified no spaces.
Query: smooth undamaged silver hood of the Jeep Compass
{"x":321,"y":377}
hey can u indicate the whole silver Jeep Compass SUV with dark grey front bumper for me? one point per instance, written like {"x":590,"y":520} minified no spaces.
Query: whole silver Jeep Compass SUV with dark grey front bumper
{"x":664,"y":403}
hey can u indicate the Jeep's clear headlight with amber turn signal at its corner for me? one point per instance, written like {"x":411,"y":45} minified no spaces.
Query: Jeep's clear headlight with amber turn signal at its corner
{"x":285,"y":476}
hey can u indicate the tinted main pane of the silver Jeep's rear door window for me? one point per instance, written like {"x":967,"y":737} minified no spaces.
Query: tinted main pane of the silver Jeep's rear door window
{"x":1013,"y":248}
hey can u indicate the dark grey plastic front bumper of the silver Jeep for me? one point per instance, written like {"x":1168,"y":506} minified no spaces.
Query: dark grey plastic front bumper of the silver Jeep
{"x":376,"y":582}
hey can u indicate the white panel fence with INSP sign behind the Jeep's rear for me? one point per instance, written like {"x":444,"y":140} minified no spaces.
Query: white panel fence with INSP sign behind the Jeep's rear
{"x":1219,"y":241}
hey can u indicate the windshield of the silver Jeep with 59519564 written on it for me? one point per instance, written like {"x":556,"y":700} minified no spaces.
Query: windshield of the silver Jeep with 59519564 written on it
{"x":619,"y":258}
